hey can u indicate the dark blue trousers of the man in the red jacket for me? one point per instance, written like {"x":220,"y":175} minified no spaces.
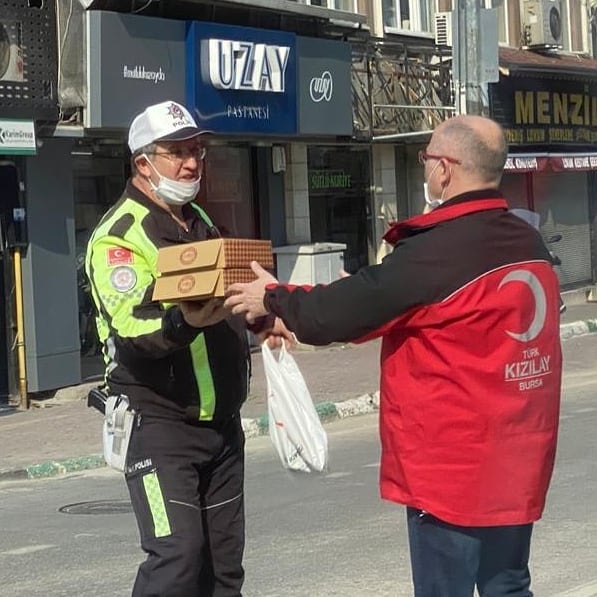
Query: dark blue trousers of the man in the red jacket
{"x":450,"y":561}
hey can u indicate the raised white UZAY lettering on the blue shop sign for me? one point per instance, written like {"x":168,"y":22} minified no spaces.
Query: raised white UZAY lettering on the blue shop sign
{"x":247,"y":66}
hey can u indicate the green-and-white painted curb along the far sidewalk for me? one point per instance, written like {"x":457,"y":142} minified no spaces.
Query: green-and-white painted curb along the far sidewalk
{"x":327,"y":411}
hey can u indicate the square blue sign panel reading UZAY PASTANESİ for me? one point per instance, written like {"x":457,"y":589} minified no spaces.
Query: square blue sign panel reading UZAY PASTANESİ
{"x":242,"y":80}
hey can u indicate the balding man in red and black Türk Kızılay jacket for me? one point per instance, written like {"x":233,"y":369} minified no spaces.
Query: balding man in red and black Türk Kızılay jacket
{"x":467,"y":305}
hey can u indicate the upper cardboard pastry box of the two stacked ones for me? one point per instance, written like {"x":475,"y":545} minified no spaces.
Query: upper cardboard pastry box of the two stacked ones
{"x":217,"y":253}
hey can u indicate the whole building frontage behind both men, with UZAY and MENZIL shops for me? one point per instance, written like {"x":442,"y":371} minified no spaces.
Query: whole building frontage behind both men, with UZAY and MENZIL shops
{"x":321,"y":147}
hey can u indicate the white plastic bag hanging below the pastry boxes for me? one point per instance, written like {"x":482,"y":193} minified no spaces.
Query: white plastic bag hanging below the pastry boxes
{"x":294,"y":426}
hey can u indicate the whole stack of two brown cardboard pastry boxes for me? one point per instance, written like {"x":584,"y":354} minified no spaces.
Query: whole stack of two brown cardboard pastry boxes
{"x":205,"y":269}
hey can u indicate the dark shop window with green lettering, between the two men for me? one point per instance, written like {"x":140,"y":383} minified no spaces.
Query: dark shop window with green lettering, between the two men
{"x":339,"y":187}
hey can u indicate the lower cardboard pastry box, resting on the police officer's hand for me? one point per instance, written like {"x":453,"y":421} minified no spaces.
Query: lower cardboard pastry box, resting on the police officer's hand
{"x":198,"y":285}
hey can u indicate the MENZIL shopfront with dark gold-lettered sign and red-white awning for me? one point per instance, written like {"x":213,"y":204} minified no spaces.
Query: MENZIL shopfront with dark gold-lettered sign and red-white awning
{"x":548,"y":108}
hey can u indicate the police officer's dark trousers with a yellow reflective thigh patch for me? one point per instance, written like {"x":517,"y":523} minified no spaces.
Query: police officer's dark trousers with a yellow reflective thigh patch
{"x":186,"y":487}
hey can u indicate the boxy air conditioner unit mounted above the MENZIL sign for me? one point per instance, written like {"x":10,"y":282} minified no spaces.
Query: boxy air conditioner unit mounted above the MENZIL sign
{"x":542,"y":23}
